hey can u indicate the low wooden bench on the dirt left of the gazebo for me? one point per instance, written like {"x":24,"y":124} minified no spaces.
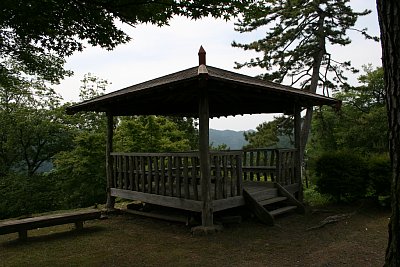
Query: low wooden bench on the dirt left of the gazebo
{"x":23,"y":225}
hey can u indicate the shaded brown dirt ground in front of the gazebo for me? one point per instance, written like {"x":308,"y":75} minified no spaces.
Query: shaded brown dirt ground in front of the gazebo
{"x":130,"y":240}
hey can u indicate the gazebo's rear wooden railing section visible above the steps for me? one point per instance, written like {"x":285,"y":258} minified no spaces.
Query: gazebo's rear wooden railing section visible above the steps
{"x":269,"y":165}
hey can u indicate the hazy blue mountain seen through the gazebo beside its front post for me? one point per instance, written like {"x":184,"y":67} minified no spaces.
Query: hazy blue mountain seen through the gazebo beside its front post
{"x":233,"y":139}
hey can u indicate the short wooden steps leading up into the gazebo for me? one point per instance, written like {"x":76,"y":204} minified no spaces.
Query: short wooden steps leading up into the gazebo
{"x":268,"y":202}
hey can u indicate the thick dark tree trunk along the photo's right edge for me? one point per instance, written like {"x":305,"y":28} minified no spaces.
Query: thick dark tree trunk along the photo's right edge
{"x":389,"y":21}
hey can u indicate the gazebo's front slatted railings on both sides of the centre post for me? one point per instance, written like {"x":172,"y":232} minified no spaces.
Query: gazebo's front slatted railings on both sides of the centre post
{"x":177,"y":174}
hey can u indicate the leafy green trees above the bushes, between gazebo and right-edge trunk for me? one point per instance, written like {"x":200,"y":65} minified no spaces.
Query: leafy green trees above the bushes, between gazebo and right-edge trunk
{"x":361,"y":125}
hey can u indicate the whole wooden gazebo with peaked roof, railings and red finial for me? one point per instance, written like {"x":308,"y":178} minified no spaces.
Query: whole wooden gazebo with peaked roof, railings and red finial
{"x":205,"y":181}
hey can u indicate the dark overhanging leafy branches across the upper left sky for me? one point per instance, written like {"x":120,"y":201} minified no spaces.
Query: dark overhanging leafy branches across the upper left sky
{"x":39,"y":34}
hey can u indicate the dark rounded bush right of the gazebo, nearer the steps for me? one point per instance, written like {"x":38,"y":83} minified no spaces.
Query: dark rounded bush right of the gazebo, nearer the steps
{"x":343,"y":175}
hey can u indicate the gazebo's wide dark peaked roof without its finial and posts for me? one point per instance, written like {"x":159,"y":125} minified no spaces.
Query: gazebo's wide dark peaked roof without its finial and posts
{"x":178,"y":94}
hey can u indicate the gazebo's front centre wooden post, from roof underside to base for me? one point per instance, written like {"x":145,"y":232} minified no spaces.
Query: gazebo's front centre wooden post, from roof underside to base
{"x":204,"y":116}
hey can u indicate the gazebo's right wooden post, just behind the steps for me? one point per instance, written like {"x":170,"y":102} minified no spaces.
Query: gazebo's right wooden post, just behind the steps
{"x":297,"y":144}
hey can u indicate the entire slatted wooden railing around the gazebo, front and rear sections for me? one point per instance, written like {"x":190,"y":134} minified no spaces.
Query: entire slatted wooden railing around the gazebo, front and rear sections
{"x":178,"y":174}
